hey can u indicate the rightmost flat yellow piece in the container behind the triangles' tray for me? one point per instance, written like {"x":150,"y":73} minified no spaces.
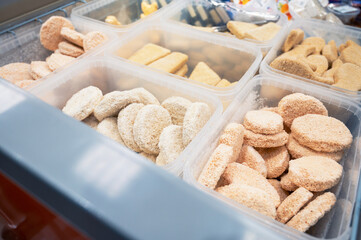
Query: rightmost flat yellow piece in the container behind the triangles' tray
{"x":263,"y":33}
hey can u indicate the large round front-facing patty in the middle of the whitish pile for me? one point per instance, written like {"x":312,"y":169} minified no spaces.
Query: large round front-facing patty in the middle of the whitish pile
{"x":148,"y":126}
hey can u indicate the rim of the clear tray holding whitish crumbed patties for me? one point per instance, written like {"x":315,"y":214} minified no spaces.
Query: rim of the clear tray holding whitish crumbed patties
{"x":176,"y":167}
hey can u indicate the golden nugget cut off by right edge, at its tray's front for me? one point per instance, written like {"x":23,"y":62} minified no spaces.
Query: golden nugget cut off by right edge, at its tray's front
{"x":348,"y":77}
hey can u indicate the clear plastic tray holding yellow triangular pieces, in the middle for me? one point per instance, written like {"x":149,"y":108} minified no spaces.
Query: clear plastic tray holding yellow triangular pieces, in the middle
{"x":232,"y":59}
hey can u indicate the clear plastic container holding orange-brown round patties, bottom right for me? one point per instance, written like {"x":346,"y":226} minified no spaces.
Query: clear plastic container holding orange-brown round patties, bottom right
{"x":267,"y":91}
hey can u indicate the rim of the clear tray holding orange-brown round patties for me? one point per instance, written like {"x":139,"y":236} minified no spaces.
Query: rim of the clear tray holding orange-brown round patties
{"x":287,"y":231}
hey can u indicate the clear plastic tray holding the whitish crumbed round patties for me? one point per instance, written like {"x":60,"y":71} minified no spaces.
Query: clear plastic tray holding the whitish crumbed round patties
{"x":110,"y":74}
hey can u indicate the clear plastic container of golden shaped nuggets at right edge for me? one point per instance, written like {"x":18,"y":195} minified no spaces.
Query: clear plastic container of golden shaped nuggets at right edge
{"x":314,"y":28}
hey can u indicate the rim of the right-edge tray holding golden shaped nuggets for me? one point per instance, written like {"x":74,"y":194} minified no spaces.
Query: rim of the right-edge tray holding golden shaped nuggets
{"x":267,"y":69}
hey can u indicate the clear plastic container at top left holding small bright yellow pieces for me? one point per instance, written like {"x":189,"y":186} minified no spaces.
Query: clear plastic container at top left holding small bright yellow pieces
{"x":126,"y":11}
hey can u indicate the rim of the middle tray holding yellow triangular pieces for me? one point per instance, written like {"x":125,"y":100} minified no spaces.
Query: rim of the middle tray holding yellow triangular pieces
{"x":194,"y":34}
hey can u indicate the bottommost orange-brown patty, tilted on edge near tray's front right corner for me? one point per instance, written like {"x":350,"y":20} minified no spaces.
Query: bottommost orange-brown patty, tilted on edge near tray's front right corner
{"x":313,"y":212}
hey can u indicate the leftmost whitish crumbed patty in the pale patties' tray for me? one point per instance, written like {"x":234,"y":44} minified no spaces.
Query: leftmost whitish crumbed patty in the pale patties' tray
{"x":83,"y":103}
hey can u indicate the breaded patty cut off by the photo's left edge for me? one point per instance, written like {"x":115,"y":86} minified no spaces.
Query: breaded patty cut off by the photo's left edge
{"x":14,"y":72}
